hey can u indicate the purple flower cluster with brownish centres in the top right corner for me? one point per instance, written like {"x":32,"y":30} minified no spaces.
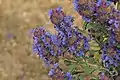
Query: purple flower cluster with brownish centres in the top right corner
{"x":99,"y":11}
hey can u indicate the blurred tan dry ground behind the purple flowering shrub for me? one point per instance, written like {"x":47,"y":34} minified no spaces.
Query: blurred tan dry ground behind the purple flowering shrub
{"x":17,"y":18}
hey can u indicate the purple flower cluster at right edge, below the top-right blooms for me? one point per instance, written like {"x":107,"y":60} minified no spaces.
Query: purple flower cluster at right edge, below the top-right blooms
{"x":110,"y":51}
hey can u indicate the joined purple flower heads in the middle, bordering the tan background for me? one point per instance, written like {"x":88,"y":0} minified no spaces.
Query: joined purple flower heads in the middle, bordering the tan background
{"x":67,"y":39}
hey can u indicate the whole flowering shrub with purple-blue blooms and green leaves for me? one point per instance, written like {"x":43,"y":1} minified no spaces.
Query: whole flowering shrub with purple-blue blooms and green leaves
{"x":90,"y":54}
